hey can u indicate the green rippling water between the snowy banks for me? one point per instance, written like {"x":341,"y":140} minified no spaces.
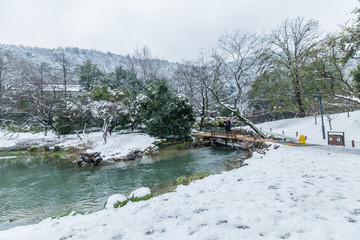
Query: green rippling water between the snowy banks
{"x":32,"y":189}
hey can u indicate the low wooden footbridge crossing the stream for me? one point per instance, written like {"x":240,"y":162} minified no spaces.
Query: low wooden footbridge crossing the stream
{"x":241,"y":136}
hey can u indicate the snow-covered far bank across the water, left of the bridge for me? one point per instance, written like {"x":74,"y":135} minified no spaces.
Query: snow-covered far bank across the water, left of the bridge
{"x":117,"y":144}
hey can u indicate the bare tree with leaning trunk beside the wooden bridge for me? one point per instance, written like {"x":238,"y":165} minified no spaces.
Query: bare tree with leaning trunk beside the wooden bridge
{"x":237,"y":59}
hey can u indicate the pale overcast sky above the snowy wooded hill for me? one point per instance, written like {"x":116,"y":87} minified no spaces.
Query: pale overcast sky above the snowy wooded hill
{"x":173,"y":29}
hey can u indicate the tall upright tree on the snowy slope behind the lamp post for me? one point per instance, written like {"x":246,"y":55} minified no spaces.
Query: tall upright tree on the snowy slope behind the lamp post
{"x":293,"y":46}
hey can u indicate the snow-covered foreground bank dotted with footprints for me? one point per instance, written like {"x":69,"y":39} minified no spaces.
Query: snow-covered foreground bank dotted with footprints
{"x":288,"y":193}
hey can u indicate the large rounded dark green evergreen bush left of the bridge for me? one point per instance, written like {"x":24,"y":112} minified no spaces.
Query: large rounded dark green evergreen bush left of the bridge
{"x":164,"y":113}
